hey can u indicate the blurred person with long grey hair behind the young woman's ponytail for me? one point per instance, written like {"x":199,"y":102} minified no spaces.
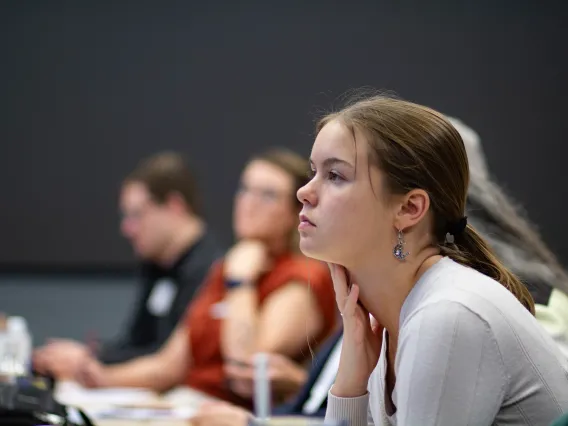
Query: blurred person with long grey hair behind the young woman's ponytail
{"x":515,"y":241}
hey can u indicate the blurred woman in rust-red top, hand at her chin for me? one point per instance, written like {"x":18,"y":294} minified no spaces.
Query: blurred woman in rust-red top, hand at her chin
{"x":262,"y":297}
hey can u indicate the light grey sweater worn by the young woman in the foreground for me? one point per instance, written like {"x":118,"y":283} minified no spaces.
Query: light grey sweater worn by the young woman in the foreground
{"x":468,"y":354}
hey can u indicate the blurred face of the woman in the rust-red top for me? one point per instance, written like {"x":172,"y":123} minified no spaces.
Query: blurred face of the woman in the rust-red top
{"x":264,"y":207}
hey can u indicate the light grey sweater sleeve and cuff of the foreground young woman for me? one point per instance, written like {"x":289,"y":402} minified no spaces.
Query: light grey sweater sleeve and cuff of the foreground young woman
{"x":449,"y":372}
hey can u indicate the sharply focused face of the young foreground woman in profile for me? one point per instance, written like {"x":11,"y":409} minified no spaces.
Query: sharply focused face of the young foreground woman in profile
{"x":345,"y":215}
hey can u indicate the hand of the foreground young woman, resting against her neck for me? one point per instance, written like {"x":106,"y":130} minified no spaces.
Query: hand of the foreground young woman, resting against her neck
{"x":362,"y":339}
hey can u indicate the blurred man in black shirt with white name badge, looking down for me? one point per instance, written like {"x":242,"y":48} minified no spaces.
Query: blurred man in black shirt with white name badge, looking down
{"x":161,"y":218}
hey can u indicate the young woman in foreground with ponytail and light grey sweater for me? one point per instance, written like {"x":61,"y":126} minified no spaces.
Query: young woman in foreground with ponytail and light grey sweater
{"x":452,"y":339}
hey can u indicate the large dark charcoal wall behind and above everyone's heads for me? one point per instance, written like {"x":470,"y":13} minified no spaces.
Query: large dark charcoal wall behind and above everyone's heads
{"x":88,"y":88}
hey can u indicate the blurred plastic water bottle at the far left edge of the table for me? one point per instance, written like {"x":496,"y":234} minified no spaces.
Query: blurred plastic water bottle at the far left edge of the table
{"x":19,"y":342}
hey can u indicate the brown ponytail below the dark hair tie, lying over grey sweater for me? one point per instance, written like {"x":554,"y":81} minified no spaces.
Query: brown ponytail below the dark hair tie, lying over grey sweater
{"x":470,"y":249}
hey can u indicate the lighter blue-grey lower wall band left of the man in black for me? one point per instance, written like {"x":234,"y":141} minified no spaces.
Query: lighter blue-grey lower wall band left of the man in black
{"x":69,"y":306}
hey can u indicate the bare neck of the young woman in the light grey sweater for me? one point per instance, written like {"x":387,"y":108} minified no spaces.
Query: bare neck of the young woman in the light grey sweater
{"x":384,"y":288}
